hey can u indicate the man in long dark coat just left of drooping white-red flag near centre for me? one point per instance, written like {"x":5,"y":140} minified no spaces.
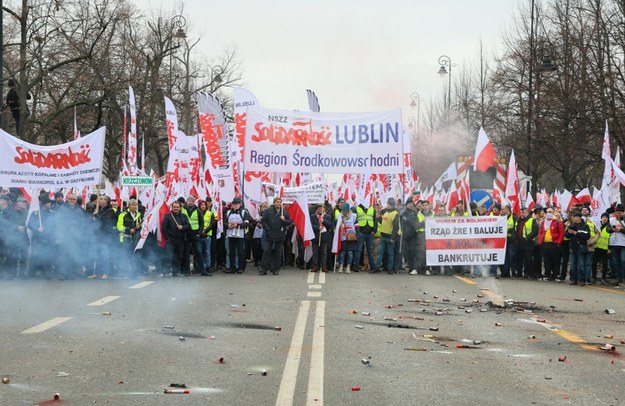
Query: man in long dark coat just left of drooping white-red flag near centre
{"x":275,"y":221}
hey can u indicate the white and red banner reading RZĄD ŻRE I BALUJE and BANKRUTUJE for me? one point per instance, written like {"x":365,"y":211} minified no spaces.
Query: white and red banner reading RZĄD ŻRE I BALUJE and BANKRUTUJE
{"x":465,"y":240}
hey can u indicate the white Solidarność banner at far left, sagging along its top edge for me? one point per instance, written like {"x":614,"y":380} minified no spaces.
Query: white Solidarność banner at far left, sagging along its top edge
{"x":73,"y":164}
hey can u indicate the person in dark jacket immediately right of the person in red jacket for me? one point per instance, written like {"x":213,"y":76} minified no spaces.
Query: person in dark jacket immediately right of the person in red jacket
{"x":579,"y":233}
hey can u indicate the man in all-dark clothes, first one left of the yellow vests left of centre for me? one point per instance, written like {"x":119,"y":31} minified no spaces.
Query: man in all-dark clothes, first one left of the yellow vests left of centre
{"x":176,"y":227}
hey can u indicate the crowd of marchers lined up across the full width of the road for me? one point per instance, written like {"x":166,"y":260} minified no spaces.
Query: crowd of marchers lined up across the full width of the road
{"x":67,"y":238}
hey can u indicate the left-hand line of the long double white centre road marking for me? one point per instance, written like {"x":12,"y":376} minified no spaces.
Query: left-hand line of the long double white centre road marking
{"x":291,"y":366}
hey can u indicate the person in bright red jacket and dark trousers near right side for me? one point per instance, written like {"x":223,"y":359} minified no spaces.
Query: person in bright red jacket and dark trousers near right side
{"x":550,"y":237}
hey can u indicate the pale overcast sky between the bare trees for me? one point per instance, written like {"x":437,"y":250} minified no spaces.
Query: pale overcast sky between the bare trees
{"x":357,"y":55}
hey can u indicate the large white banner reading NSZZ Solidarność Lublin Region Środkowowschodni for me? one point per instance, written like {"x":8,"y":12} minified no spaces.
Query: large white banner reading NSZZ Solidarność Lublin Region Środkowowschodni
{"x":297,"y":141}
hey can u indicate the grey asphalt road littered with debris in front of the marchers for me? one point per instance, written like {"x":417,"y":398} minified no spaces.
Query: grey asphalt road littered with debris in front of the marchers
{"x":302,"y":339}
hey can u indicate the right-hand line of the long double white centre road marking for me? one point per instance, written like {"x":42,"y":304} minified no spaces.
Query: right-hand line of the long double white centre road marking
{"x":315,"y":378}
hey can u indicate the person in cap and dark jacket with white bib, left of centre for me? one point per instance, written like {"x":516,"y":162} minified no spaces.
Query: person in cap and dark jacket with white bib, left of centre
{"x":236,"y":222}
